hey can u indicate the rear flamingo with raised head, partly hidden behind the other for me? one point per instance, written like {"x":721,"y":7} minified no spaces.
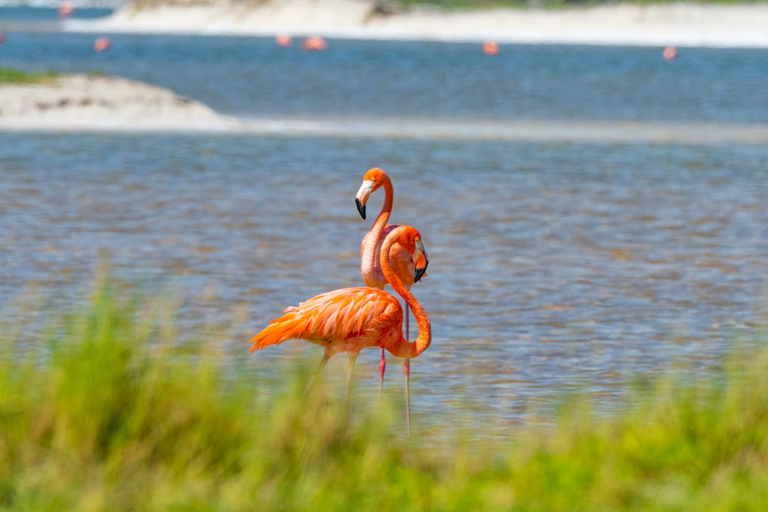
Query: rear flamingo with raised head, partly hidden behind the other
{"x":371,"y":248}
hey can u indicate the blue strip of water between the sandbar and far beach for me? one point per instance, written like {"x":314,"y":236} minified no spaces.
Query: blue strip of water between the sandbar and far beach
{"x":253,"y":77}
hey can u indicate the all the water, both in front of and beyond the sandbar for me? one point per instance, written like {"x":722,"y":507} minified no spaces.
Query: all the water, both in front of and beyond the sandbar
{"x":553,"y":266}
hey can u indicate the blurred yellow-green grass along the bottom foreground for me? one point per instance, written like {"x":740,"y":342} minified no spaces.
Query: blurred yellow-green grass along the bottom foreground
{"x":107,"y":410}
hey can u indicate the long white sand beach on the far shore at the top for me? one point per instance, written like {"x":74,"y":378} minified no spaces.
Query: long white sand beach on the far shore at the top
{"x":648,"y":25}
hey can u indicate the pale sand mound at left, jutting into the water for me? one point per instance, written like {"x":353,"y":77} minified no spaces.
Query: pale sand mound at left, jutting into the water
{"x":79,"y":102}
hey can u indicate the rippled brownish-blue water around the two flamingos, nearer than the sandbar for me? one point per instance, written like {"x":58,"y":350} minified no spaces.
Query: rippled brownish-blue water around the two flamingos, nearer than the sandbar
{"x":553,"y":266}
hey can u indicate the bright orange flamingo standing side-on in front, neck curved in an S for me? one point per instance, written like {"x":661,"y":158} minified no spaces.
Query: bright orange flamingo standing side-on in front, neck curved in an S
{"x":351,"y":319}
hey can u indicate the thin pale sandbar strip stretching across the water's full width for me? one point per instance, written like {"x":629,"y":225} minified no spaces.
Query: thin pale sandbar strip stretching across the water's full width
{"x":470,"y":130}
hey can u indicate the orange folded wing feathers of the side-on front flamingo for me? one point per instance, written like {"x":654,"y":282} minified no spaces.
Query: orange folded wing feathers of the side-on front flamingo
{"x":350,"y":318}
